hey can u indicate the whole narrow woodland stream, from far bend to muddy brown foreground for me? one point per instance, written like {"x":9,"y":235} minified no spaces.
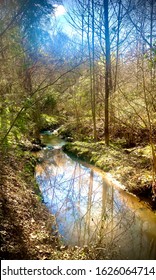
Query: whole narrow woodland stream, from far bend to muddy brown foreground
{"x":91,"y":209}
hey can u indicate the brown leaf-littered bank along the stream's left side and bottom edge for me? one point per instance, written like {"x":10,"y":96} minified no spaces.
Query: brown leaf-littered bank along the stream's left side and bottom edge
{"x":27,"y":229}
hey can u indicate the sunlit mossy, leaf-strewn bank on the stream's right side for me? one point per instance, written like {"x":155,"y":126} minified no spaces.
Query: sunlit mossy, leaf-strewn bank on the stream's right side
{"x":131,"y":167}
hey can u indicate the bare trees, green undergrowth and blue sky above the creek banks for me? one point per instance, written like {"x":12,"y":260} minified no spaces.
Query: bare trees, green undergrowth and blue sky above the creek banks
{"x":99,"y":79}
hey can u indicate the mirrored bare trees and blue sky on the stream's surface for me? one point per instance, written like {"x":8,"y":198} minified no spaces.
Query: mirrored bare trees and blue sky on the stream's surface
{"x":87,"y":209}
